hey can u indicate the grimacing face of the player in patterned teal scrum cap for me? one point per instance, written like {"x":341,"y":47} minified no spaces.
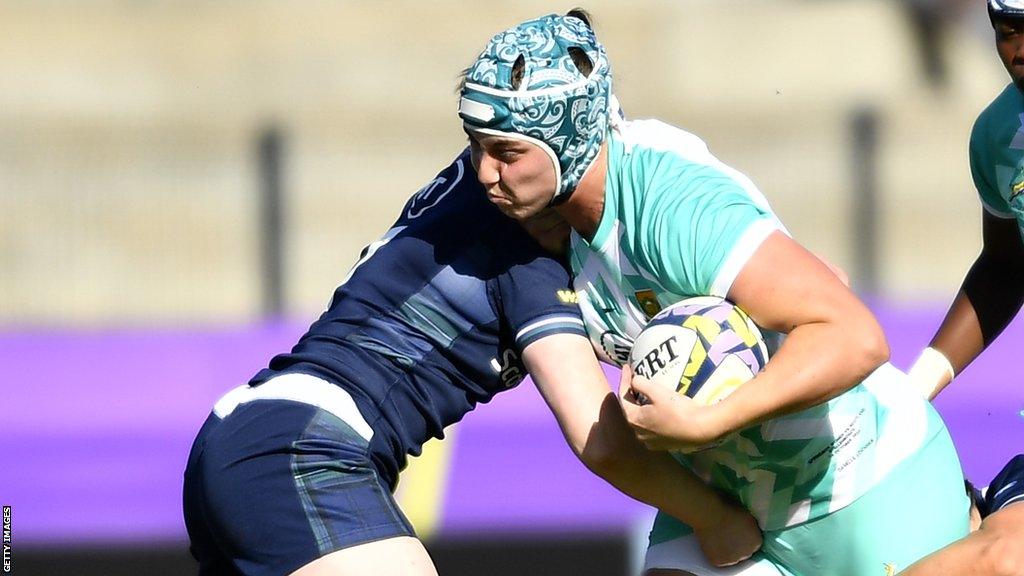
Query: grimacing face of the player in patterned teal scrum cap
{"x":518,"y":176}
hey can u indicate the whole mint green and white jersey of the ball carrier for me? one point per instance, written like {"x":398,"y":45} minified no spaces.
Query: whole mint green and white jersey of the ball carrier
{"x":677,"y":223}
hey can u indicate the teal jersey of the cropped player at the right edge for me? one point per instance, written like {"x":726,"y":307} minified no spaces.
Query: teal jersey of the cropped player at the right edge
{"x":998,"y":156}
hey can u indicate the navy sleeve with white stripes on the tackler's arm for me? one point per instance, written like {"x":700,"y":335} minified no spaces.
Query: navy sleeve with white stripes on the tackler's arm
{"x":536,"y":301}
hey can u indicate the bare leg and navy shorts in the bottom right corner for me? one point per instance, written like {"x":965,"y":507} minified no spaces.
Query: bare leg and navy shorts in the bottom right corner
{"x":996,"y":547}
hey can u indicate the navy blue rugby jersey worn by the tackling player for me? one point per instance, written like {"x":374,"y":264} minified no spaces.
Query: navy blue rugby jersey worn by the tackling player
{"x":434,"y":317}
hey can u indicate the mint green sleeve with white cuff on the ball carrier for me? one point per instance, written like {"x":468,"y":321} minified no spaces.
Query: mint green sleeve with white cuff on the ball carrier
{"x":704,"y":236}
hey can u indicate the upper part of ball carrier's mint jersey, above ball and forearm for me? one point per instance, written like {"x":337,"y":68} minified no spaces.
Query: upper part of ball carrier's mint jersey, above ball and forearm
{"x":677,"y":223}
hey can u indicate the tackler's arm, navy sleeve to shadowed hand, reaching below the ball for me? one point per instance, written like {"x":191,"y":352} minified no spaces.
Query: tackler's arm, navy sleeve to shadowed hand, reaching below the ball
{"x":566,"y":371}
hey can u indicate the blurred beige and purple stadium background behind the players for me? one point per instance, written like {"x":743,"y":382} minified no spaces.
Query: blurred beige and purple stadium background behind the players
{"x":150,"y":150}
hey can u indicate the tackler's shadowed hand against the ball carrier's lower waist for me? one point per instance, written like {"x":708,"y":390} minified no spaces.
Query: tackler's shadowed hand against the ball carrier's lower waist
{"x":731,"y":538}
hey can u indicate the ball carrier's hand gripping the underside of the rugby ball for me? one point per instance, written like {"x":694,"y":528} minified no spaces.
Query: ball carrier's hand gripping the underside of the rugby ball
{"x":663,"y":420}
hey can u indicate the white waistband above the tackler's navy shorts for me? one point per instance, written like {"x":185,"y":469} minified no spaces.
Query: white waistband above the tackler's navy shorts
{"x":300,"y":388}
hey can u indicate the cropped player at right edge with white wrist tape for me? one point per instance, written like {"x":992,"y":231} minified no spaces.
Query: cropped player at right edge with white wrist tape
{"x":994,"y":290}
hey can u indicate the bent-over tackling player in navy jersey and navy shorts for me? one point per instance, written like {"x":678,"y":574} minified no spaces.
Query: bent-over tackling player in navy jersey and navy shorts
{"x":293,"y":473}
